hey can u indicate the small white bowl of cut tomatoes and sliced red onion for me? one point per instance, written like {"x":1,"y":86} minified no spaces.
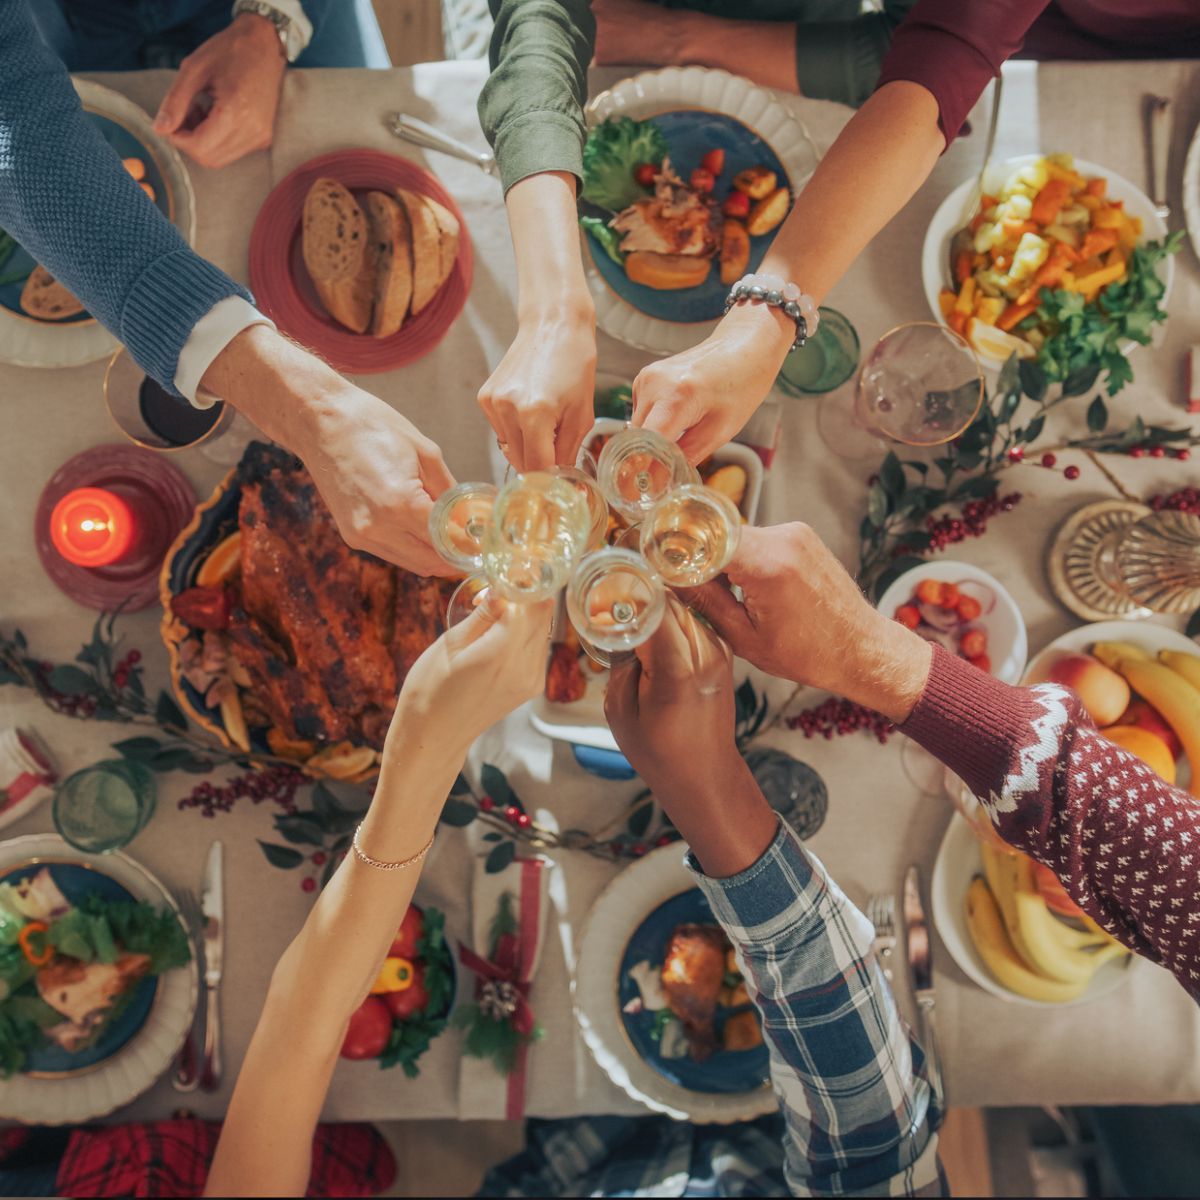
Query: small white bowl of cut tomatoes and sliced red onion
{"x":965,"y":611}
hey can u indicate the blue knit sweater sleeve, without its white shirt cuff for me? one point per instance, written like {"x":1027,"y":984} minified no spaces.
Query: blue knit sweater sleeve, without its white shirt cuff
{"x":68,"y":200}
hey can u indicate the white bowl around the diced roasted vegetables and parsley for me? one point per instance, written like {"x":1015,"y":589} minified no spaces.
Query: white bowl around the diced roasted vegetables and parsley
{"x":952,"y":213}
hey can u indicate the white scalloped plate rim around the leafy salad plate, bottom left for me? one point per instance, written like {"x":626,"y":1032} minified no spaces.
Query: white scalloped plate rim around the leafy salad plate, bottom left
{"x":135,"y":1069}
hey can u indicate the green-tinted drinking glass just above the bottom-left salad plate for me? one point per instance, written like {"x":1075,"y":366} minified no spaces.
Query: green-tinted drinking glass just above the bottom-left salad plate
{"x":104,"y":808}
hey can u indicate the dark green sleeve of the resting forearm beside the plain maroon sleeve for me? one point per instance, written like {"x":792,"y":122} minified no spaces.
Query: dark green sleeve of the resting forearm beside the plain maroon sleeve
{"x":842,"y":59}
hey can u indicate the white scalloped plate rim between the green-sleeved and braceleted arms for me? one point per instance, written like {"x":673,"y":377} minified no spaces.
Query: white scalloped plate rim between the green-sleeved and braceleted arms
{"x":671,"y":89}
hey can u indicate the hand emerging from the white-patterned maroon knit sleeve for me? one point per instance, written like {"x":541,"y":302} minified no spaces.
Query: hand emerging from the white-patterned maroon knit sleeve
{"x":805,"y":619}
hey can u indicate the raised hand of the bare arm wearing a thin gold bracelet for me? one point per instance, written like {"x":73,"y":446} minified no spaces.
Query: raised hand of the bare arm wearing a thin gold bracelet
{"x":476,"y":674}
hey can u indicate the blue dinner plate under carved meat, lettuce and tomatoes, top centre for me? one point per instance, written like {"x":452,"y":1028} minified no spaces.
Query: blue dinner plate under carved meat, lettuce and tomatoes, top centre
{"x":691,"y":135}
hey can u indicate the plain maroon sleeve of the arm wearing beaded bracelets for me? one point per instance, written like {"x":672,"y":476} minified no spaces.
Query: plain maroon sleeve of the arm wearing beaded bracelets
{"x":955,"y":47}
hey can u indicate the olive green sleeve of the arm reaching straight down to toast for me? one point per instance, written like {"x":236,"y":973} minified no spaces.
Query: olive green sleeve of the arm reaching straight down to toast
{"x":532,"y":106}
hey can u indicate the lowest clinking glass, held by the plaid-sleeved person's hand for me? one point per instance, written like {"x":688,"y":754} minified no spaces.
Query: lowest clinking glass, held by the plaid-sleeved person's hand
{"x":616,"y":602}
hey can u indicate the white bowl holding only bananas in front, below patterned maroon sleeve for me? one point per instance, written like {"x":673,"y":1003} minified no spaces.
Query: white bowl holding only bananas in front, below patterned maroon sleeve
{"x":958,"y":863}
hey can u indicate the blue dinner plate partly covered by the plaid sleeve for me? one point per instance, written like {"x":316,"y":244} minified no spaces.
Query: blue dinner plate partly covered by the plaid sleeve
{"x":728,"y":1071}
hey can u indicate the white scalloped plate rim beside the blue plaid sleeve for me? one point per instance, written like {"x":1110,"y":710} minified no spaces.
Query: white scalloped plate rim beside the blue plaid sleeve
{"x":615,"y":917}
